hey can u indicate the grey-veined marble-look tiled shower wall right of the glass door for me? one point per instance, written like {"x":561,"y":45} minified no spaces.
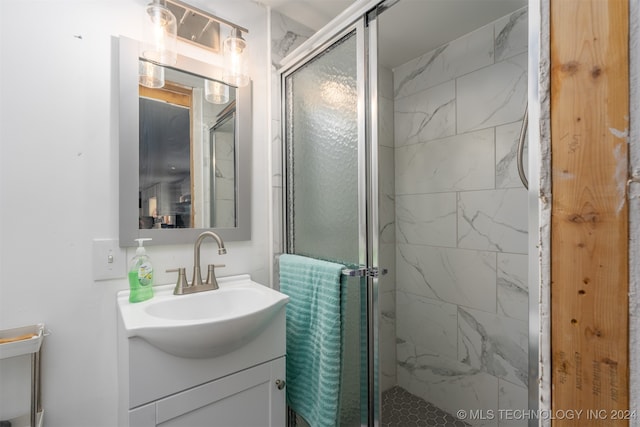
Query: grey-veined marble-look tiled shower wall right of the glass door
{"x":461,"y":222}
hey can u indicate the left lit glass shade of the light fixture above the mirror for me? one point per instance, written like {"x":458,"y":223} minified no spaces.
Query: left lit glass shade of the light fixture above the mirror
{"x":161,"y":38}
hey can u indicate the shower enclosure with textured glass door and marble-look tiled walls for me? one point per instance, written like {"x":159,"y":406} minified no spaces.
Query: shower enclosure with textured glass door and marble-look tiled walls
{"x":405,"y":164}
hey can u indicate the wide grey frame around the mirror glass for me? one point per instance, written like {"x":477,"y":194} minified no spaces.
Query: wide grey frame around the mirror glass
{"x":129,"y":164}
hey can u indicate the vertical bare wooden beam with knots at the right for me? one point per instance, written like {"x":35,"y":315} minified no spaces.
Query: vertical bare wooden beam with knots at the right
{"x":589,"y":218}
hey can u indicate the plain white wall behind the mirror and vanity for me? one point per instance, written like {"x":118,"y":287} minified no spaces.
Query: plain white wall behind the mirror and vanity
{"x":59,"y":188}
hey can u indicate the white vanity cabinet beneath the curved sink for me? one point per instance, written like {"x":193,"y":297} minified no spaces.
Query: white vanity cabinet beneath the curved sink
{"x":242,"y":388}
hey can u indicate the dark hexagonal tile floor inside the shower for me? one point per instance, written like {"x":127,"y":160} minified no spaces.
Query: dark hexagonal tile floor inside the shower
{"x":402,"y":409}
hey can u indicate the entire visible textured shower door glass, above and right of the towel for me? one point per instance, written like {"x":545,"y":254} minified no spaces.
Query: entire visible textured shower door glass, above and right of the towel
{"x":325,"y":178}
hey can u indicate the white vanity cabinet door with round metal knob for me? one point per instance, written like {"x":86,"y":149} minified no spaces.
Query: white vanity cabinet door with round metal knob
{"x":249,"y":398}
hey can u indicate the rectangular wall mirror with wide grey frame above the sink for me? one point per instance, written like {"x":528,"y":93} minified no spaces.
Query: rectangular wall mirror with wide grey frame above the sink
{"x":185,"y":153}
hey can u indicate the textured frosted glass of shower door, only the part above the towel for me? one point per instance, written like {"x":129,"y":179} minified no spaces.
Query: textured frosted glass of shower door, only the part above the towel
{"x":322,"y":144}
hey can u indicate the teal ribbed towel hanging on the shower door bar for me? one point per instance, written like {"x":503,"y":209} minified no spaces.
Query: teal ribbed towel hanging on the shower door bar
{"x":313,"y":337}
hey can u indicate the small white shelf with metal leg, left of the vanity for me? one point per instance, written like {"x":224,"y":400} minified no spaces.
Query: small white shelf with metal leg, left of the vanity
{"x":24,"y":347}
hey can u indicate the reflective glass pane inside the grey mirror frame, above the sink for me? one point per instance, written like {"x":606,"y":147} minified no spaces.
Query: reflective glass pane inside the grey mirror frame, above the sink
{"x":175,"y":123}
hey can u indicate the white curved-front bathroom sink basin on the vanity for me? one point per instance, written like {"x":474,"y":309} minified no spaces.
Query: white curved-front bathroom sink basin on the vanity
{"x":204,"y":324}
